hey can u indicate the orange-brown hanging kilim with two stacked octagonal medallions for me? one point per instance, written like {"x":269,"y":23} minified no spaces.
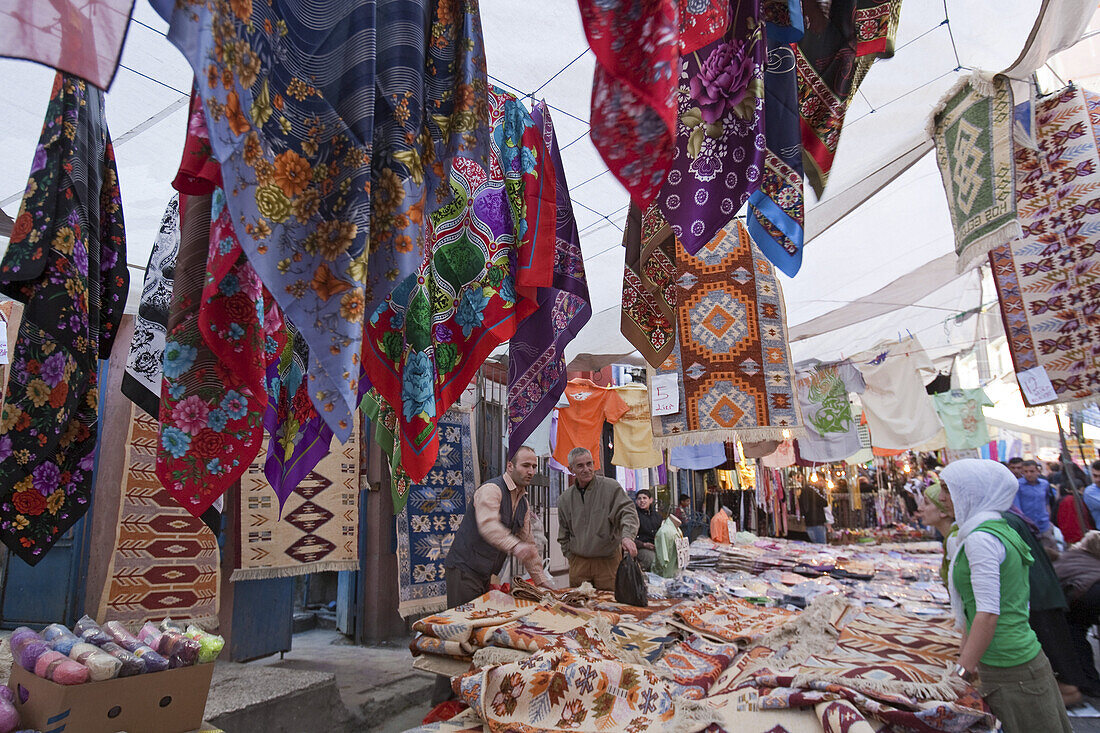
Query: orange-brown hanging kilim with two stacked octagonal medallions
{"x":732,"y":364}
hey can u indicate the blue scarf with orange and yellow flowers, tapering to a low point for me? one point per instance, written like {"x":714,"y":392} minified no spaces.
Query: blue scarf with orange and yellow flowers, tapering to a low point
{"x":295,"y":155}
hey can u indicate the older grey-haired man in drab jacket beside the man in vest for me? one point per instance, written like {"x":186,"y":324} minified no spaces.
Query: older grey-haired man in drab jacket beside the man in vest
{"x":597,"y":521}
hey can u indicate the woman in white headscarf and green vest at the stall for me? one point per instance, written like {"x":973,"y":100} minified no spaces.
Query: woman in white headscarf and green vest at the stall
{"x":989,"y":587}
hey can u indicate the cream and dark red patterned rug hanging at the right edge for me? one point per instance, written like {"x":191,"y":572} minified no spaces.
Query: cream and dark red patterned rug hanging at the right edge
{"x":1049,"y":280}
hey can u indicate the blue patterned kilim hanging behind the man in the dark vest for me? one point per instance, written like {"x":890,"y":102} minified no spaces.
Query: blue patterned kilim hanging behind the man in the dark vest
{"x":433,"y":515}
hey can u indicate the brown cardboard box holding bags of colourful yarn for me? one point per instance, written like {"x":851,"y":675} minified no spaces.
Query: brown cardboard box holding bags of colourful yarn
{"x":171,"y":702}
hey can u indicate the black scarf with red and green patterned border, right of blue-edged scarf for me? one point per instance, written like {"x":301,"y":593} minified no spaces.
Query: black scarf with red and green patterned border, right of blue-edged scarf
{"x":841,"y":42}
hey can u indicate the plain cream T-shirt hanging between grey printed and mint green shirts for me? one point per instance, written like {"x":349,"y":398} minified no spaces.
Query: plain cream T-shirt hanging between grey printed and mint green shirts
{"x":898,"y":410}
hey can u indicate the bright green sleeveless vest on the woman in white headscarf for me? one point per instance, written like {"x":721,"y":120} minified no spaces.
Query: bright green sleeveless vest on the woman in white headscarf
{"x":1015,"y":643}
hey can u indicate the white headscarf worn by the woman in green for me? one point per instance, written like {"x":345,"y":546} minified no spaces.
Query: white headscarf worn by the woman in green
{"x":981,"y":490}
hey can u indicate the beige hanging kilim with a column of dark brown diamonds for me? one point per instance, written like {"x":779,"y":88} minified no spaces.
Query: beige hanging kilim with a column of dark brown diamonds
{"x":320,"y":528}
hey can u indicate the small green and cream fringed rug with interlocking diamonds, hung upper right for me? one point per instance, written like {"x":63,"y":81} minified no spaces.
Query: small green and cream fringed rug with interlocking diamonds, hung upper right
{"x":973,"y":132}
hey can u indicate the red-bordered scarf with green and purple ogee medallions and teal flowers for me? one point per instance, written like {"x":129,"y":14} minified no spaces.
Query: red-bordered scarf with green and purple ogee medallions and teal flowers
{"x":490,"y":254}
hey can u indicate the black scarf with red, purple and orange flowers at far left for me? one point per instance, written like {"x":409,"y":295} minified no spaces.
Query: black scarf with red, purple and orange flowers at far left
{"x":68,"y":262}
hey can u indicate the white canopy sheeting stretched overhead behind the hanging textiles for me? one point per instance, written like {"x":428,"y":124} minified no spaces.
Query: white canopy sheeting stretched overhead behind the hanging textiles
{"x":884,"y":270}
